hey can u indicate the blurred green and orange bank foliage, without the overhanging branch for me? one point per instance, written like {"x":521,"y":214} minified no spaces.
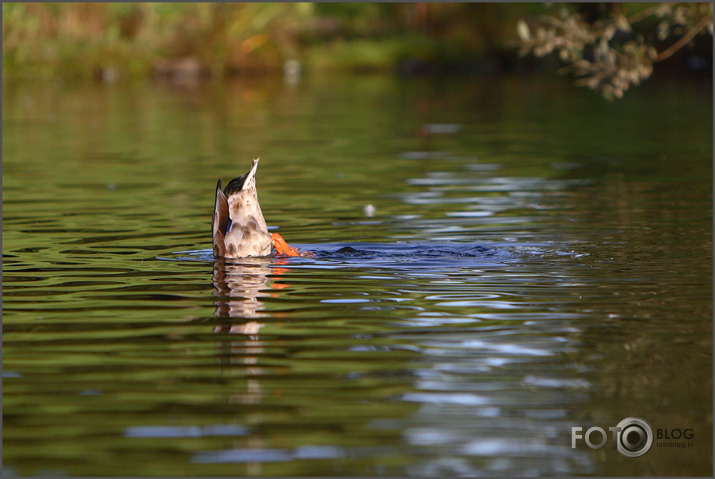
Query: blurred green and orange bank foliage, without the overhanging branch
{"x":126,"y":40}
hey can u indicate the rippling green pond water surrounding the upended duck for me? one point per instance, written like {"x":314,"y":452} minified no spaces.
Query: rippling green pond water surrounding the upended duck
{"x":496,"y":262}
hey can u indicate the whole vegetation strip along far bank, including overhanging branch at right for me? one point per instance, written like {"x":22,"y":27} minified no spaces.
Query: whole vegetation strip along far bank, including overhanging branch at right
{"x":608,"y":47}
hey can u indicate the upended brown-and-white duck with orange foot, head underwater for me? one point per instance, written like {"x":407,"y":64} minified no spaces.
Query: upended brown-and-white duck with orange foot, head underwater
{"x":239,"y":229}
